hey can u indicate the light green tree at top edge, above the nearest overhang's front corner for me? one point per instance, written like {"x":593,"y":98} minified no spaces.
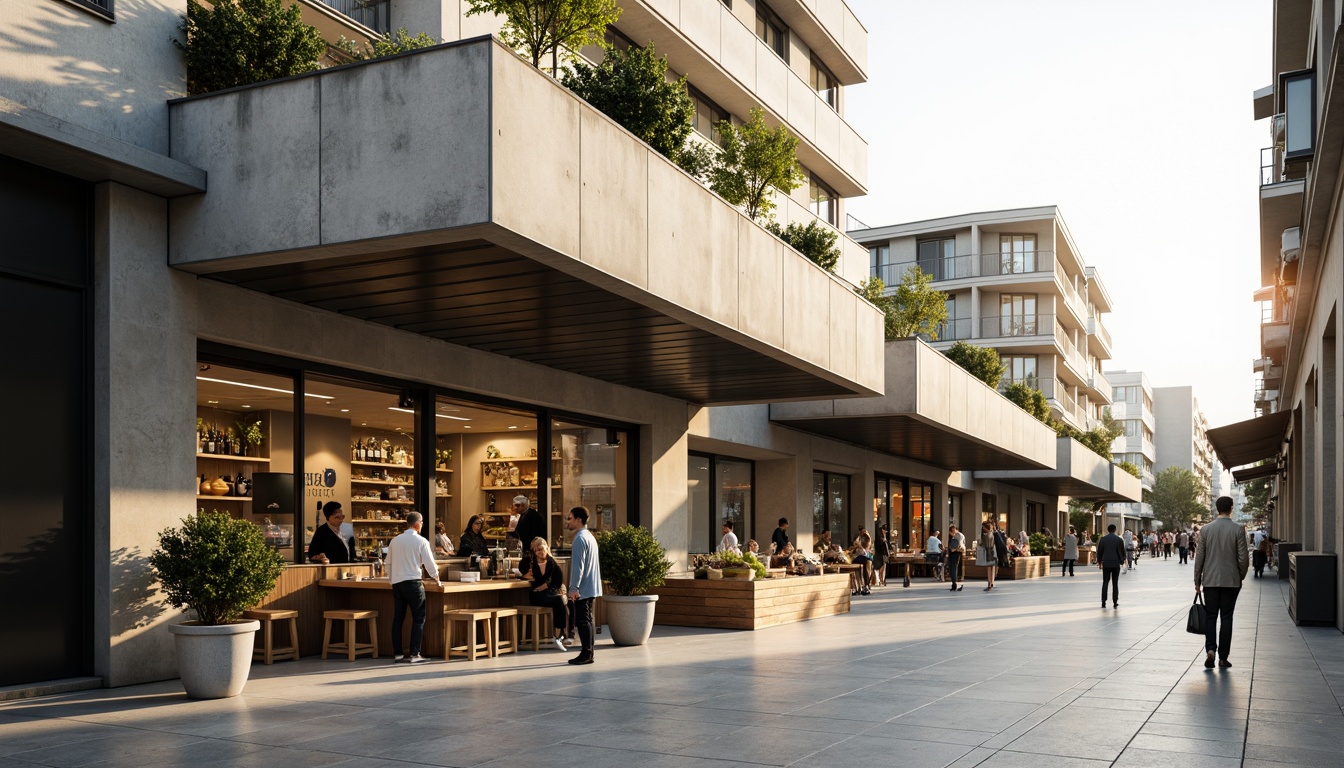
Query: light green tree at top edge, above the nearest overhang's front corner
{"x":540,"y":29}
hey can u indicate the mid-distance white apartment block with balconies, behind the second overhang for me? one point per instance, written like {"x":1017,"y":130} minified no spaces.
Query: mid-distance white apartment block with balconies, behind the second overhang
{"x":1015,"y":282}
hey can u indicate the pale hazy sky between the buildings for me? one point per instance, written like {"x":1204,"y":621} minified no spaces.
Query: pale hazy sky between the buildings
{"x":1134,"y":118}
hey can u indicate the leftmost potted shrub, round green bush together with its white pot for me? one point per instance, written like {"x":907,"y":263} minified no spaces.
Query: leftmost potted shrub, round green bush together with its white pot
{"x":217,"y":568}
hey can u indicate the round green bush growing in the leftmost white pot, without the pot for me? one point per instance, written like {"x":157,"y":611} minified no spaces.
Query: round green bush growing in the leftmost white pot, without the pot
{"x":216,"y":566}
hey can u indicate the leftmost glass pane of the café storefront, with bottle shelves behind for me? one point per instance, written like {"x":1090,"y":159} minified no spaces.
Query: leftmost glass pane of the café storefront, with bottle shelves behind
{"x":245,"y":451}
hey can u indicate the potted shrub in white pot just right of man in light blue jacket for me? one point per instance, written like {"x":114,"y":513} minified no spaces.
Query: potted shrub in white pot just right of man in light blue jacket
{"x":634,"y":563}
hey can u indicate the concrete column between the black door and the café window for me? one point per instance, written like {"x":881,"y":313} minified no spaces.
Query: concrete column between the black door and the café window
{"x":144,"y":428}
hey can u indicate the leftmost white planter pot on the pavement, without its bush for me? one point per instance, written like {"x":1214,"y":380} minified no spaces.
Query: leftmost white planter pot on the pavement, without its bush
{"x":214,"y":661}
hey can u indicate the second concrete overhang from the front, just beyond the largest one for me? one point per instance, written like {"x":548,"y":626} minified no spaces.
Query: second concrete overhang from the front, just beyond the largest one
{"x":933,"y":412}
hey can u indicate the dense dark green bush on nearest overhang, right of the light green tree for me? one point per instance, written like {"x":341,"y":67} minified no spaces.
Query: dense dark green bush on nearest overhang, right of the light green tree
{"x":632,"y":88}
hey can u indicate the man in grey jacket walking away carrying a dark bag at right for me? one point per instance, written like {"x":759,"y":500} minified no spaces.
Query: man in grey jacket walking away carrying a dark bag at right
{"x":1221,"y":563}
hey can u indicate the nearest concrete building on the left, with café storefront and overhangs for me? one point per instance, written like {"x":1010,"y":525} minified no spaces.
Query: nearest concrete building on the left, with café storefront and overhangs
{"x":393,"y":258}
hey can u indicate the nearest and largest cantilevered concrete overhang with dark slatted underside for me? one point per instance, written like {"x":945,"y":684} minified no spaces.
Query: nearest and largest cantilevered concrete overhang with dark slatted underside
{"x":460,"y":194}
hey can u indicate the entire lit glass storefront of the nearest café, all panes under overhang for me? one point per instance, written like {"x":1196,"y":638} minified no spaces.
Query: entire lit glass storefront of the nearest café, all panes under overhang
{"x":380,"y":453}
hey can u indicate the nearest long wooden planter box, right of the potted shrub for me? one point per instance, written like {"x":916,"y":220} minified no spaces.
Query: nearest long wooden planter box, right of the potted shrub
{"x":729,"y":605}
